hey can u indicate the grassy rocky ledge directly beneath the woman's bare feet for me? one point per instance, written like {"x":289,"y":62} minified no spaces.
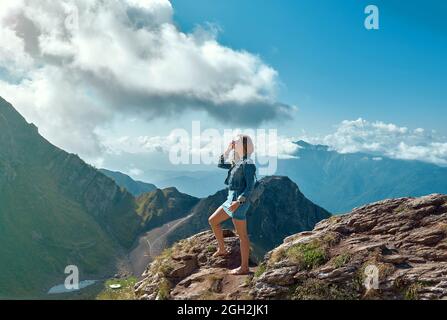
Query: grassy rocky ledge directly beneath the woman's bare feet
{"x":189,"y":271}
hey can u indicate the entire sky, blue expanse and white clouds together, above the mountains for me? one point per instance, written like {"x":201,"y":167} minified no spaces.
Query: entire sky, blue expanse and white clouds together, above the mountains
{"x":132,"y":72}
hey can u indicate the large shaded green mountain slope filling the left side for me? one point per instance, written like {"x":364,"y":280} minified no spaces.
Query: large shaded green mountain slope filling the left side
{"x":55,"y":210}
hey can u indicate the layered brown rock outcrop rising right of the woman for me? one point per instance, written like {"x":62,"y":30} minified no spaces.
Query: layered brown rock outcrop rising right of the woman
{"x":394,"y":249}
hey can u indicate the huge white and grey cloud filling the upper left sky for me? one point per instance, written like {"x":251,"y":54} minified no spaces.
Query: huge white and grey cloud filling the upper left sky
{"x":72,"y":65}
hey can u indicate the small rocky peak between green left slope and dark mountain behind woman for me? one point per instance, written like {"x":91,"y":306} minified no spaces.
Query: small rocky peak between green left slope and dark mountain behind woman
{"x":162,"y":206}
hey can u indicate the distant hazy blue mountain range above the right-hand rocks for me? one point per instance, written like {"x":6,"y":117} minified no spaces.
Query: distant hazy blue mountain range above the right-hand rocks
{"x":341,"y":182}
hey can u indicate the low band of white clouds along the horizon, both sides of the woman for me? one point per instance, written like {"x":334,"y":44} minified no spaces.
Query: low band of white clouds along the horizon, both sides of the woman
{"x":378,"y":139}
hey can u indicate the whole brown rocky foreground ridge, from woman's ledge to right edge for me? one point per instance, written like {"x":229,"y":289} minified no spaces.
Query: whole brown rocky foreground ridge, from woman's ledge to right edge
{"x":393,"y":249}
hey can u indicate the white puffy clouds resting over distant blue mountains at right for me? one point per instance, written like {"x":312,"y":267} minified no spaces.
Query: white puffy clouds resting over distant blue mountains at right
{"x":386,"y":139}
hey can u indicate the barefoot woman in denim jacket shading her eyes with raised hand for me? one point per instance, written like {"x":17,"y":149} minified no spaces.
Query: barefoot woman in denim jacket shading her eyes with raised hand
{"x":240,"y":181}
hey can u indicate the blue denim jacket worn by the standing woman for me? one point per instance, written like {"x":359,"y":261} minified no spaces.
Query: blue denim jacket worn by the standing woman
{"x":241,"y":176}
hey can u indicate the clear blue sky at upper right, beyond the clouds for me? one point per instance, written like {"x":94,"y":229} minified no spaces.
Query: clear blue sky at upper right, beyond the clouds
{"x":331,"y":67}
